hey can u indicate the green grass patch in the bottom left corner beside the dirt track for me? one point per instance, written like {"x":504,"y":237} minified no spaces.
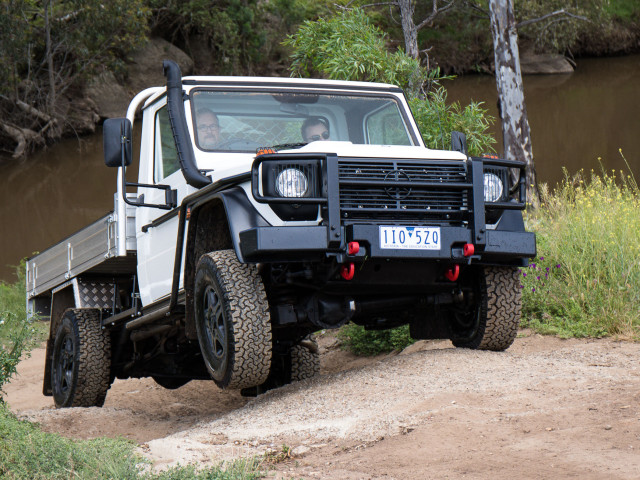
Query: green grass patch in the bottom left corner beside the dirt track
{"x":28,"y":453}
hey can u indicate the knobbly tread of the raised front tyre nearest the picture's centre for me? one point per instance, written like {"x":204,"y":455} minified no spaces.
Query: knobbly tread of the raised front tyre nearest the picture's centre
{"x":247,"y":307}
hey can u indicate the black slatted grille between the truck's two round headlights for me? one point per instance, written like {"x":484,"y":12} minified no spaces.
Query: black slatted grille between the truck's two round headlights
{"x":435,"y":190}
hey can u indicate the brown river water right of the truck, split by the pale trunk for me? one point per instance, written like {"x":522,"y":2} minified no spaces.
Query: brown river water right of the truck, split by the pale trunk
{"x":575,"y":119}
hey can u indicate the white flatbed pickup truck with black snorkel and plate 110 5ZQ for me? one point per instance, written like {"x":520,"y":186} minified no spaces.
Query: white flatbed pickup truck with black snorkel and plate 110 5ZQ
{"x":267,"y":209}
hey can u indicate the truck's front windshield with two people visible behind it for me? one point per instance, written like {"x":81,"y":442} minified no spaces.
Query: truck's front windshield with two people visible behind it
{"x":244,"y":121}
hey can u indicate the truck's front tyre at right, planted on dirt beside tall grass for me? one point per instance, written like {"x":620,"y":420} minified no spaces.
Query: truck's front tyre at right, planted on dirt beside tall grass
{"x":493,"y":323}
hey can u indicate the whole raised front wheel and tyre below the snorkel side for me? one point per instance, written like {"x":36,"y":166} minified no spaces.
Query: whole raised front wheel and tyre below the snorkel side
{"x":232,"y":321}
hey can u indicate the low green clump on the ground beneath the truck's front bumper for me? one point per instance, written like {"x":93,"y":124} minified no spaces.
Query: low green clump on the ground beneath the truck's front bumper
{"x":373,"y":342}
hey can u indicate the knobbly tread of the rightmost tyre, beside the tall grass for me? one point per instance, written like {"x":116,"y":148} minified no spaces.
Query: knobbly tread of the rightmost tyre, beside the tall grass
{"x":500,"y":310}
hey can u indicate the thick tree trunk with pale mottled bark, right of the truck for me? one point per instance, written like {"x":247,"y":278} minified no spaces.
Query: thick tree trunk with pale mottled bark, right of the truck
{"x":513,"y":112}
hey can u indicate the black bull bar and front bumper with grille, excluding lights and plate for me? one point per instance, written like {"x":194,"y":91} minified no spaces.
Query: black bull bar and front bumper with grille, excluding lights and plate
{"x":357,"y":195}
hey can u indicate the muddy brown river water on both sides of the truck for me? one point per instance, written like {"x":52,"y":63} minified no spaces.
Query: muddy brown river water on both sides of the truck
{"x":575,"y":119}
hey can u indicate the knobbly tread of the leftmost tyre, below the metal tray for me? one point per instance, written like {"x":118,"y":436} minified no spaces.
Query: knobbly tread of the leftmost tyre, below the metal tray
{"x":93,"y":359}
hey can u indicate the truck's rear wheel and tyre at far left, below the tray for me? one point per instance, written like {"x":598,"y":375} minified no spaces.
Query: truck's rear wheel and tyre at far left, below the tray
{"x":81,"y":361}
